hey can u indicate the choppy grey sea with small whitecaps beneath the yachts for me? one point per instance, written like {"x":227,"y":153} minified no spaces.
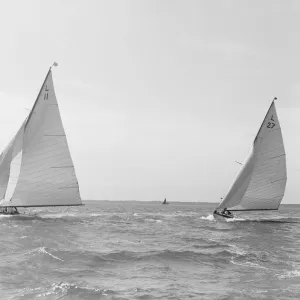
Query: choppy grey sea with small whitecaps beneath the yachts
{"x":145,"y":250}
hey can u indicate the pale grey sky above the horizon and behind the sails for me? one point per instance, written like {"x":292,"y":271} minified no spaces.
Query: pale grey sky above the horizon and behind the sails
{"x":158,"y":98}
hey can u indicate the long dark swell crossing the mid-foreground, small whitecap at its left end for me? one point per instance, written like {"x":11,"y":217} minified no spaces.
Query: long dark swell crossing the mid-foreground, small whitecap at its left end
{"x":196,"y":253}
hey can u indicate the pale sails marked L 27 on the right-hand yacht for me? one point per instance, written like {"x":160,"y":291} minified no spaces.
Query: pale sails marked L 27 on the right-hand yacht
{"x":260,"y":184}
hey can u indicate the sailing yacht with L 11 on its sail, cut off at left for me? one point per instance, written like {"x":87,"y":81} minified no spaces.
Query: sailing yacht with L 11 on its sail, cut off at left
{"x":36,"y":168}
